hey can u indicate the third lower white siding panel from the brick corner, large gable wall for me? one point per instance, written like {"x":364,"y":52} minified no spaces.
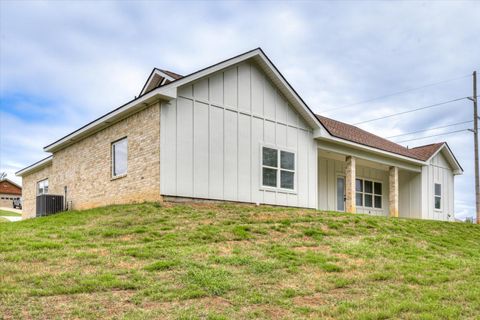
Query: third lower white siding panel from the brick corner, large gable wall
{"x":201,"y":147}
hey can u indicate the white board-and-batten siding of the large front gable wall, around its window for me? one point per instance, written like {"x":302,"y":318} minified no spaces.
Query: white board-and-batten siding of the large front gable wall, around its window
{"x":212,"y":134}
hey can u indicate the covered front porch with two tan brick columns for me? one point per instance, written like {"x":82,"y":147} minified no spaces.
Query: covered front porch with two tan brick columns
{"x":351,"y":181}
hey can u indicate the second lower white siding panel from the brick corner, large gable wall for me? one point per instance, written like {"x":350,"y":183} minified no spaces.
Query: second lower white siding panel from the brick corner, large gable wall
{"x":184,"y":147}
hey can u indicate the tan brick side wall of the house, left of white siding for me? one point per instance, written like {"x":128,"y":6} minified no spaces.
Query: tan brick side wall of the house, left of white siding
{"x":85,"y":167}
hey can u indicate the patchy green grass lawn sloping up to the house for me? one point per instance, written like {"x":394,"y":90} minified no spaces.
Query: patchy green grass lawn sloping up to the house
{"x":152,"y":261}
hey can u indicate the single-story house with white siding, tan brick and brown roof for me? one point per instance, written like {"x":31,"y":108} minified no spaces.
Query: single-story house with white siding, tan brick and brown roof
{"x":237,"y":131}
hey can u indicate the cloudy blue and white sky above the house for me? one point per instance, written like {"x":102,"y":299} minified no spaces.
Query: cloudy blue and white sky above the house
{"x":63,"y":64}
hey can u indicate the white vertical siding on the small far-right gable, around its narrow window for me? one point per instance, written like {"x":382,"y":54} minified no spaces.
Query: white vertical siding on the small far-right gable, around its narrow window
{"x":438,"y":171}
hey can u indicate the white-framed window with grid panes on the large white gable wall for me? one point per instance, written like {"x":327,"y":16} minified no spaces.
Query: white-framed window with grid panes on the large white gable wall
{"x":278,"y":168}
